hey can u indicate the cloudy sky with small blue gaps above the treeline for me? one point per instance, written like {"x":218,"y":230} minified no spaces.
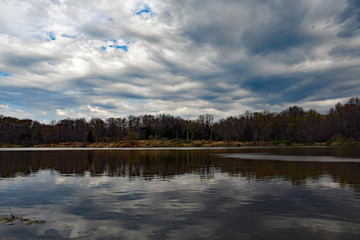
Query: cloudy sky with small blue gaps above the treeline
{"x":102,"y":58}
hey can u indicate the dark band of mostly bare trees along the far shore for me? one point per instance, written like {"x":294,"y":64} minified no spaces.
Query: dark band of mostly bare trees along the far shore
{"x":293,"y":125}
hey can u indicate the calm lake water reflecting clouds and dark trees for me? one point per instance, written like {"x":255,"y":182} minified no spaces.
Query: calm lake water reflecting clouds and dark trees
{"x":244,"y":193}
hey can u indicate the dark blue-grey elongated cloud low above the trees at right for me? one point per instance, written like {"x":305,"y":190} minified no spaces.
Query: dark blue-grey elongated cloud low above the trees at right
{"x":295,"y":88}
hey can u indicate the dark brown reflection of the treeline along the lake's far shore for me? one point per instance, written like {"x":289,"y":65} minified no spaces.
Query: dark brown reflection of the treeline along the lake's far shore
{"x":293,"y":164}
